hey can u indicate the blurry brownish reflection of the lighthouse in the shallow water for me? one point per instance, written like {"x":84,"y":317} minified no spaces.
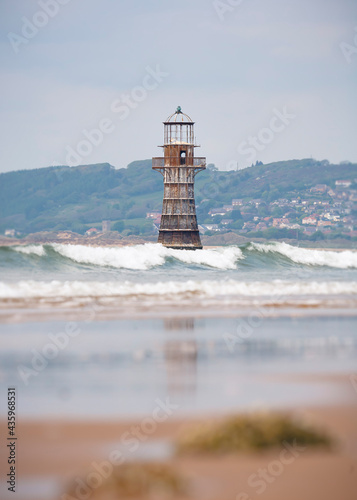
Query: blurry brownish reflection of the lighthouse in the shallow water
{"x":180,"y":356}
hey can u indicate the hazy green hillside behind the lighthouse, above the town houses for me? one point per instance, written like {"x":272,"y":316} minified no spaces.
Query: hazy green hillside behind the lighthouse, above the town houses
{"x":76,"y":198}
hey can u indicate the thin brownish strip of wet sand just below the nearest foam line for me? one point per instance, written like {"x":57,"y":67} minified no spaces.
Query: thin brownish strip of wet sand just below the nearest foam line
{"x":31,"y":310}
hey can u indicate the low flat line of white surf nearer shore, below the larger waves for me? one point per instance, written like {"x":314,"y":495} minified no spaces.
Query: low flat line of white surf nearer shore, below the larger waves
{"x":171,"y":289}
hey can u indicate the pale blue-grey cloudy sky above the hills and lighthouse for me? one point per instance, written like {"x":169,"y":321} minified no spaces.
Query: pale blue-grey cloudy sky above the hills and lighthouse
{"x":85,"y":81}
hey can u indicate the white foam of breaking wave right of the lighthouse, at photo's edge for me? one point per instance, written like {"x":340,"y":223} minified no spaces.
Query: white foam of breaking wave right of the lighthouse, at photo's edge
{"x":342,"y":260}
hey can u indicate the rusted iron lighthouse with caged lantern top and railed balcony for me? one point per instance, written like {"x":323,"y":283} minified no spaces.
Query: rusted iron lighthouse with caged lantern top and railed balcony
{"x":178,"y":228}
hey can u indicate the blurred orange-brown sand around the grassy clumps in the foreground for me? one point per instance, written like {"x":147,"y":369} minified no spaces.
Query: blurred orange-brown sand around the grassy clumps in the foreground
{"x":64,"y":449}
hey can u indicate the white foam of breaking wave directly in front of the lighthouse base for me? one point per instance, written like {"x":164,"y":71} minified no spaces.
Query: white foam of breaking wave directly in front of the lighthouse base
{"x":142,"y":257}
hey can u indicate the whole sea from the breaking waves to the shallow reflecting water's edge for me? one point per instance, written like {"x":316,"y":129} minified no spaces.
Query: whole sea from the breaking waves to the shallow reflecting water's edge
{"x":105,"y":332}
